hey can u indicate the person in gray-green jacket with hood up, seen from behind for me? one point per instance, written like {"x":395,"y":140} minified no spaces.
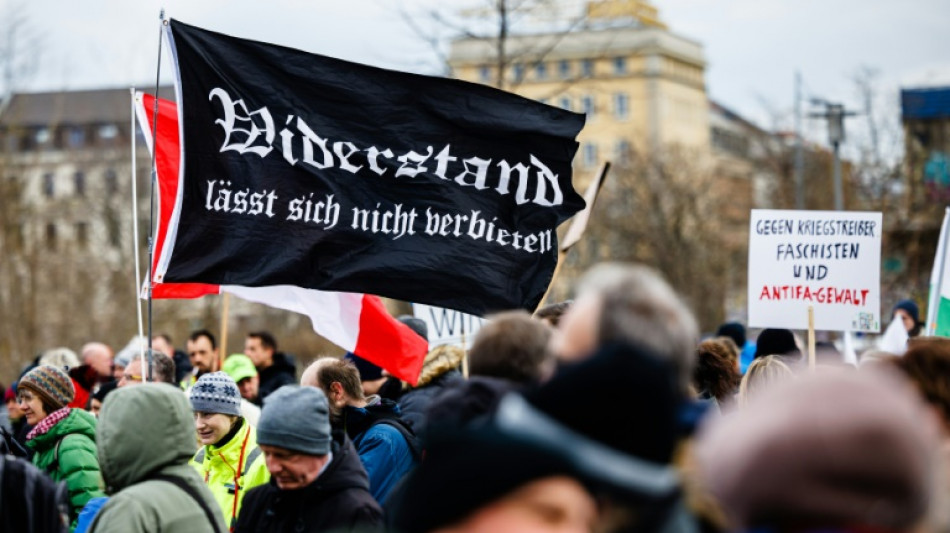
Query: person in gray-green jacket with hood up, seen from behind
{"x":146,"y":437}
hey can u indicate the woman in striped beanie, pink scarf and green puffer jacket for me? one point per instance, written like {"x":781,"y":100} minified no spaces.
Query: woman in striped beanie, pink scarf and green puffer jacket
{"x":62,"y":439}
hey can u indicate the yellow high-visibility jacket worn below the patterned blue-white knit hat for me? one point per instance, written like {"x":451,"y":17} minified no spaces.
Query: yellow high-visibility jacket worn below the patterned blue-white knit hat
{"x":232,"y":470}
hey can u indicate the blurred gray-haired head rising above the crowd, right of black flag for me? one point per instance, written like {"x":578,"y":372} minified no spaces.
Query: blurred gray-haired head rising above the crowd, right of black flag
{"x":628,"y":303}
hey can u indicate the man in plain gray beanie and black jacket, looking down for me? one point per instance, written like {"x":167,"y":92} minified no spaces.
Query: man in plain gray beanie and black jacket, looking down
{"x":317,"y":480}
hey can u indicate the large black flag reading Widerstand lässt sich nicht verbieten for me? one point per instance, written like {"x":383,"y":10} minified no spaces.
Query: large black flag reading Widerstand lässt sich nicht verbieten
{"x":304,"y":170}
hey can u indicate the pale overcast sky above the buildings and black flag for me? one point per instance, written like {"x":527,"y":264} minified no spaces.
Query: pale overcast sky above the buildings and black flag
{"x":753,"y":47}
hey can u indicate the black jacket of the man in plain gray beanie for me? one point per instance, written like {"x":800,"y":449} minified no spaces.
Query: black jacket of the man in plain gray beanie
{"x":338,"y":500}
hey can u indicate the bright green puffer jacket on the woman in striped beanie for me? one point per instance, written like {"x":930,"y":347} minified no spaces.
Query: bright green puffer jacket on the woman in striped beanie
{"x":77,"y":462}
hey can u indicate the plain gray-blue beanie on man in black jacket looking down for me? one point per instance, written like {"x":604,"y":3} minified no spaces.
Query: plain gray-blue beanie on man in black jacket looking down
{"x":296,"y":418}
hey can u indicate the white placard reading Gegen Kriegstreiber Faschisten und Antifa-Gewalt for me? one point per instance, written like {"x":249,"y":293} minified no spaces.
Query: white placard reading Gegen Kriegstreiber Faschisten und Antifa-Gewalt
{"x":827,"y":259}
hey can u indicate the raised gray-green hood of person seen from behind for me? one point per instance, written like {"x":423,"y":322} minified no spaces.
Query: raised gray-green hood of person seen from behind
{"x":143,"y":429}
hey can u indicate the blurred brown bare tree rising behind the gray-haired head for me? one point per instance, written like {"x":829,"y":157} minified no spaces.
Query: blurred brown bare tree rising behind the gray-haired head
{"x":663,"y":210}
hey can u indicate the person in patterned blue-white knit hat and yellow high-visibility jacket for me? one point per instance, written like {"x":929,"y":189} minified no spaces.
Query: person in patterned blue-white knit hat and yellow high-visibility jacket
{"x":230,"y":462}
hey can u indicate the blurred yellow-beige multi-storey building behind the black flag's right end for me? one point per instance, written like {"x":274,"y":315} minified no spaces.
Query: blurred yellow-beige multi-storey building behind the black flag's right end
{"x":640,"y":85}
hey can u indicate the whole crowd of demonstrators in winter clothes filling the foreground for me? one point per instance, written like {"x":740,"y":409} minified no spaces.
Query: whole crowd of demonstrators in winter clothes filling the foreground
{"x":610,"y":412}
